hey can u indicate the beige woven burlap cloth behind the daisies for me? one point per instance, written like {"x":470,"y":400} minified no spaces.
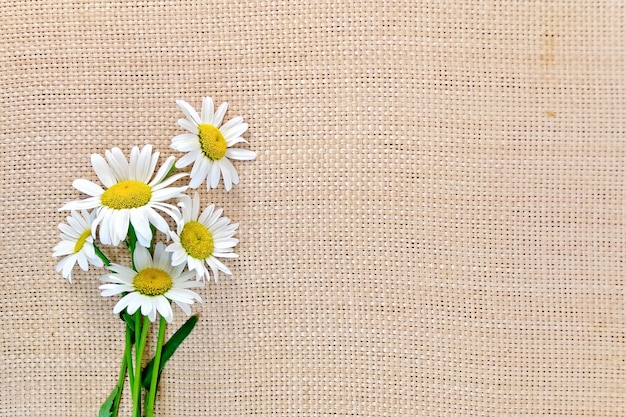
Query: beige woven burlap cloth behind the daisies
{"x":434,"y":225}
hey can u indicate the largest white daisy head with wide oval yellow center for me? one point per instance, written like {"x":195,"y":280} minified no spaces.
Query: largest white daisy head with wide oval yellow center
{"x":130,"y":197}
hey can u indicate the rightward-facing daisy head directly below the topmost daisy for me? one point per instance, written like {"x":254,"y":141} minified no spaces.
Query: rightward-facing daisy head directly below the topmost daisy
{"x":202,"y":239}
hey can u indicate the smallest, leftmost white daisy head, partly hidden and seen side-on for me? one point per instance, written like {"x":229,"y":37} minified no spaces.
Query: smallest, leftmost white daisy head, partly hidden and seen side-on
{"x":76,"y":244}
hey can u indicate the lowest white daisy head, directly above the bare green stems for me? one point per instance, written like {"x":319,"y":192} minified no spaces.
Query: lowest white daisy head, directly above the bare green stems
{"x":153,"y":286}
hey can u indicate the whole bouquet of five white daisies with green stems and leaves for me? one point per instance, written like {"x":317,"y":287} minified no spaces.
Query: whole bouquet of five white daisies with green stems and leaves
{"x":128,"y":208}
